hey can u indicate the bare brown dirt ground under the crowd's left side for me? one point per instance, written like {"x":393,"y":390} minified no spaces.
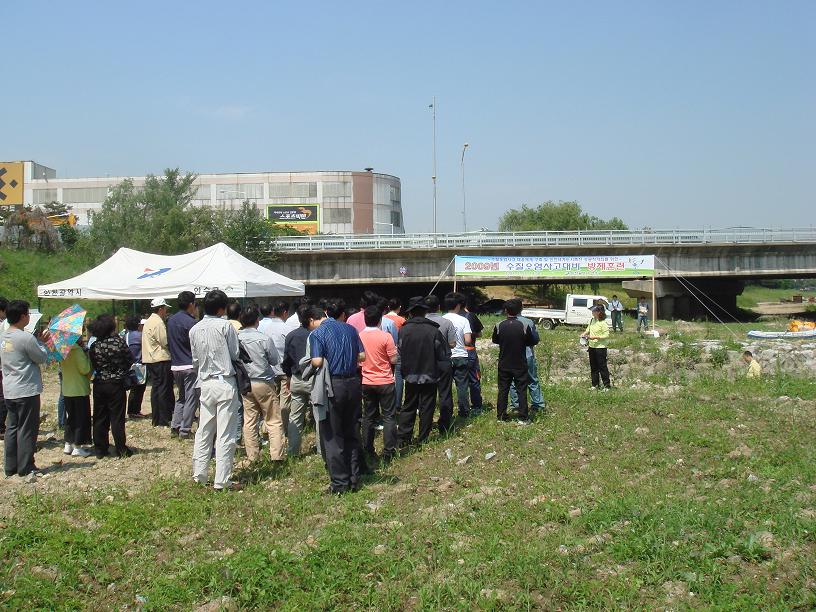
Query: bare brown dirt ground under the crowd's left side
{"x":155,"y":455}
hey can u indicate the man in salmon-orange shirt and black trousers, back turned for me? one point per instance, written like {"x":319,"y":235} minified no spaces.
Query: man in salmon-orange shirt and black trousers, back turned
{"x":378,"y":385}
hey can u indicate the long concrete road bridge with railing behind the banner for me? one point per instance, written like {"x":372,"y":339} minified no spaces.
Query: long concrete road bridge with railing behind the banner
{"x":715,"y":262}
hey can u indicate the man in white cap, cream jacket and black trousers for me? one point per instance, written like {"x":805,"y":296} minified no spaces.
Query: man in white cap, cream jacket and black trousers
{"x":156,"y":356}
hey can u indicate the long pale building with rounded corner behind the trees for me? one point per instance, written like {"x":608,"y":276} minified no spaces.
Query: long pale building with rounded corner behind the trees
{"x":328,"y":202}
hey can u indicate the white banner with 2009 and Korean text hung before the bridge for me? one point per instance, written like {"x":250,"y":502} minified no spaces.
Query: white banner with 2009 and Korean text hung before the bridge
{"x":597,"y":266}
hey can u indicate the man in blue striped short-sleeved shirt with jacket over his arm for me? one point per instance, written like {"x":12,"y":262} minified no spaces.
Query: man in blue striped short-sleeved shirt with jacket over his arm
{"x":337,"y":346}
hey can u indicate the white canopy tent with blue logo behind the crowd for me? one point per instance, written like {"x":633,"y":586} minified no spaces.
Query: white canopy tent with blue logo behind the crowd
{"x":133,"y":275}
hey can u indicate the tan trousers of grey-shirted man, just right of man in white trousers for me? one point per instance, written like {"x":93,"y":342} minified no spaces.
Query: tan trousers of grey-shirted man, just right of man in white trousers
{"x":262,"y":403}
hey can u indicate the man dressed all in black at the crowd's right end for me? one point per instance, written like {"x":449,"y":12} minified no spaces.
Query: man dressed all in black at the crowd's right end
{"x":513,"y":337}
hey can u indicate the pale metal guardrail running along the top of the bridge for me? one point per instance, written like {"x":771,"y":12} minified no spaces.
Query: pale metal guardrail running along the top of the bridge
{"x":547,"y":239}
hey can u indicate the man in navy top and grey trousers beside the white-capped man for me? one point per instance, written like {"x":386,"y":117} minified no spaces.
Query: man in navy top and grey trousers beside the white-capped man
{"x":181,"y":364}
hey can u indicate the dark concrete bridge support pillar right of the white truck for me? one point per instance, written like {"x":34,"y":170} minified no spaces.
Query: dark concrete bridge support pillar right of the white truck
{"x":676,"y":301}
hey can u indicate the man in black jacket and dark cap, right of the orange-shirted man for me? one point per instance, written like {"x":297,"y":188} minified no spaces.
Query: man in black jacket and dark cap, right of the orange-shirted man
{"x":423,"y":352}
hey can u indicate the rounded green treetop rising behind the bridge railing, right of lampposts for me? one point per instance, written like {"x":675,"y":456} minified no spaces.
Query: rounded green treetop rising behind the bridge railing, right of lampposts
{"x":554,"y":216}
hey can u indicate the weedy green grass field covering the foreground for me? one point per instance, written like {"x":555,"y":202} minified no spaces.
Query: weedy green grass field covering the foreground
{"x":699,"y":494}
